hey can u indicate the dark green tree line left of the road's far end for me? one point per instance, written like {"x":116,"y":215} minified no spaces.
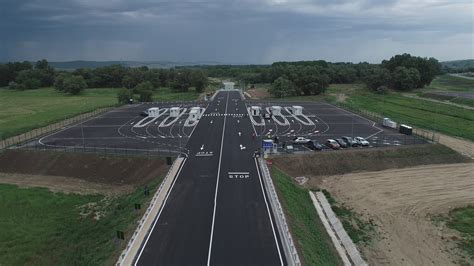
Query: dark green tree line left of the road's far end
{"x":23,"y":76}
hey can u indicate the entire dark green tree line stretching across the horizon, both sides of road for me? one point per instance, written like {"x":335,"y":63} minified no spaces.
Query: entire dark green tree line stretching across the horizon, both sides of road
{"x":401,"y":72}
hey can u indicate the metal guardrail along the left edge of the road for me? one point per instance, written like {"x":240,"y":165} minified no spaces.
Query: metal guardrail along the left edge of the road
{"x":126,"y":252}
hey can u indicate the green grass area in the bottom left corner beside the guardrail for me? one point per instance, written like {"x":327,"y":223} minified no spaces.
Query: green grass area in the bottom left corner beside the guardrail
{"x":44,"y":228}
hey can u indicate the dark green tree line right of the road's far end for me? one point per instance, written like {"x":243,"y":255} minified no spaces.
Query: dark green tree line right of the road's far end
{"x":401,"y":72}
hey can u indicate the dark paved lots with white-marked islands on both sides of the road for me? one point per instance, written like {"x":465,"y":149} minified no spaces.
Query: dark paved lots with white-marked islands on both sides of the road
{"x":125,"y":128}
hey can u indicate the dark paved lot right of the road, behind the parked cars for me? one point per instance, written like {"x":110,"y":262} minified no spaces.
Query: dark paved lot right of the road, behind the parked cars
{"x":327,"y":121}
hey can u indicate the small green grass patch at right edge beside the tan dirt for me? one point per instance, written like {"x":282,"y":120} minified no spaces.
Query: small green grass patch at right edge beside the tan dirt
{"x":462,"y":220}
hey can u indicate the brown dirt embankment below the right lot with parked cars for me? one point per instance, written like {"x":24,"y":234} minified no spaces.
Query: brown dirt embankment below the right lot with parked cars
{"x":353,"y":160}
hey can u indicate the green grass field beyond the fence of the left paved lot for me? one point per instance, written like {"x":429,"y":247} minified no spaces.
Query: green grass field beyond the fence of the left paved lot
{"x":26,"y":110}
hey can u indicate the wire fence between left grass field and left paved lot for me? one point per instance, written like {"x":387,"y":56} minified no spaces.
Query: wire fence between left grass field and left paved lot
{"x":35,"y":133}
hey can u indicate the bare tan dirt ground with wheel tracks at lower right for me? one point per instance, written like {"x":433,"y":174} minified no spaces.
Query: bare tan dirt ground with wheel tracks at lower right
{"x":402,"y":202}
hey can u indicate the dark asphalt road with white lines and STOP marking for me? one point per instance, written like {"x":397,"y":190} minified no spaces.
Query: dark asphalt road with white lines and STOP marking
{"x":216,"y":212}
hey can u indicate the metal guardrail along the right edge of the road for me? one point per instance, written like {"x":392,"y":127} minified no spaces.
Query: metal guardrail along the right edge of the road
{"x":283,"y":230}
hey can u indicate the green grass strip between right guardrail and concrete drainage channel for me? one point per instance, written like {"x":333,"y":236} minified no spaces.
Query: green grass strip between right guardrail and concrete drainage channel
{"x":312,"y":240}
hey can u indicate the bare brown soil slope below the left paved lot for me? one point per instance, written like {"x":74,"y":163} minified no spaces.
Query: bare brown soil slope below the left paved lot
{"x":109,"y":170}
